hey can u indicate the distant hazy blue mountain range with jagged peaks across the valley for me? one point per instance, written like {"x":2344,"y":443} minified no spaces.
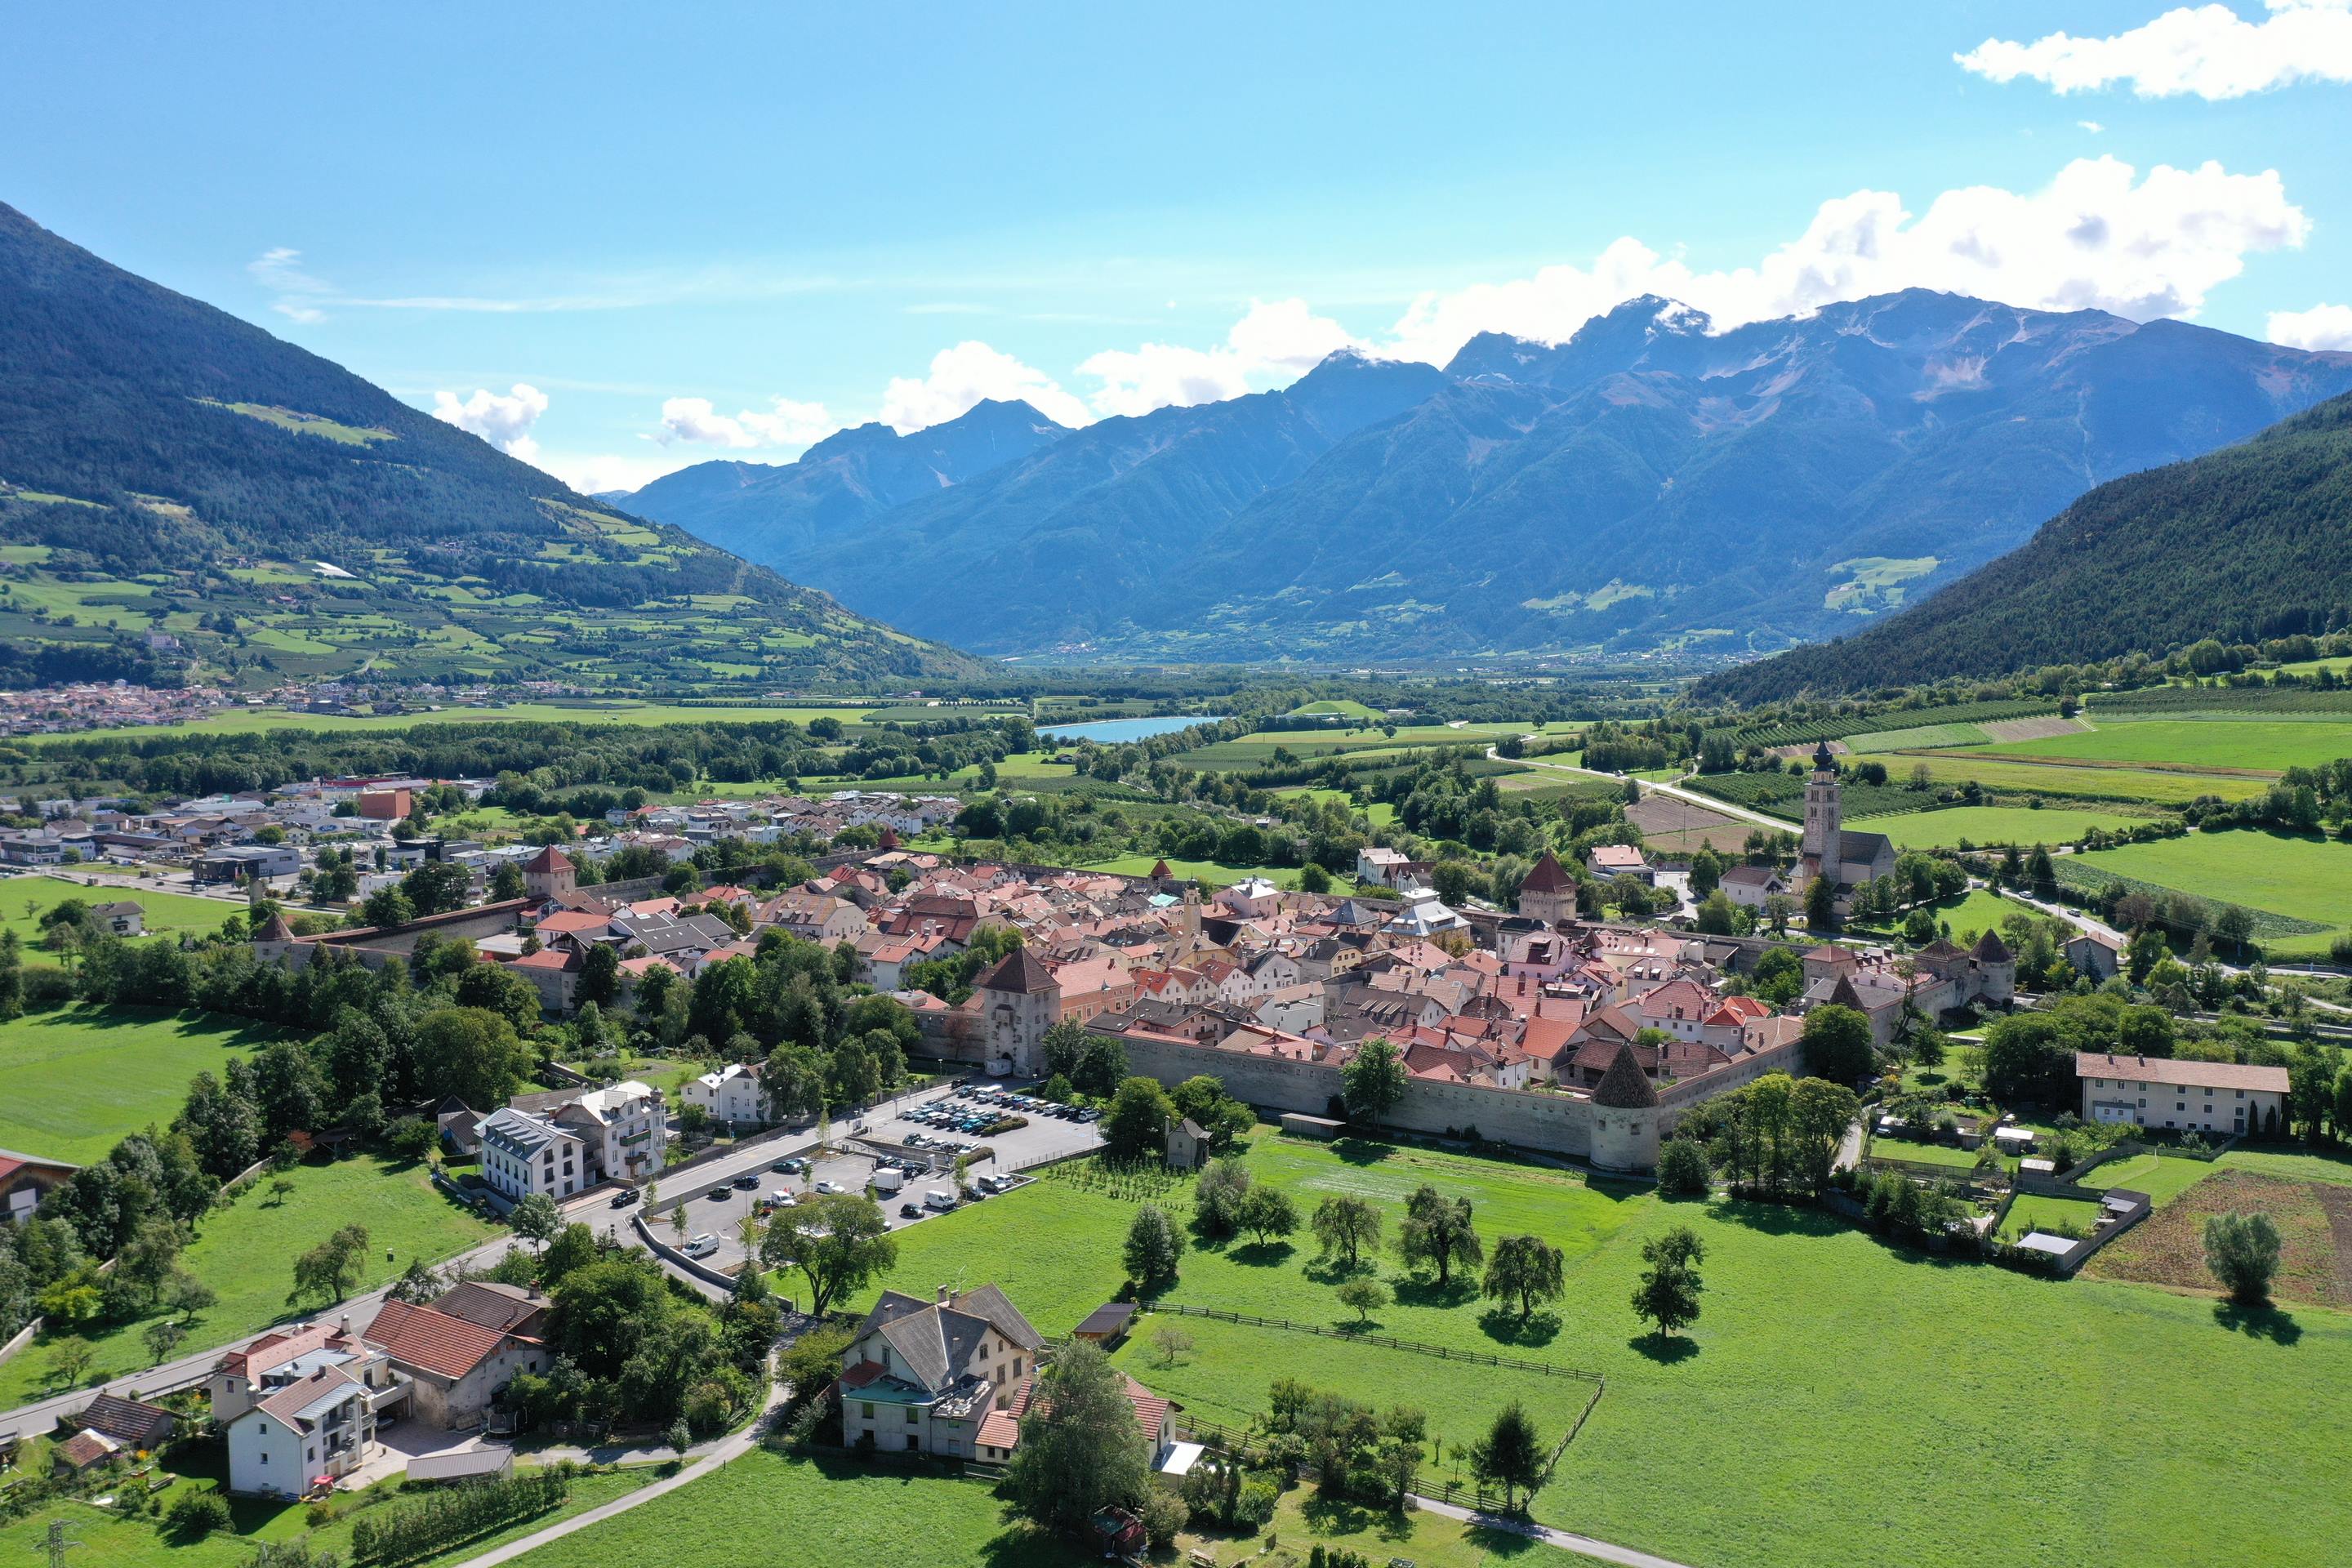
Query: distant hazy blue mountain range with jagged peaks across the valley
{"x":1648,"y":485}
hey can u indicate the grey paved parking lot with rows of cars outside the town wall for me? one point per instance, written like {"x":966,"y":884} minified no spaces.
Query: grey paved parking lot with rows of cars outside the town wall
{"x":928,"y":1134}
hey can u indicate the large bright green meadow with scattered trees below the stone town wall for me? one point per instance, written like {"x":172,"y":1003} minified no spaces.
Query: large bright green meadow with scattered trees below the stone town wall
{"x":1786,"y":1379}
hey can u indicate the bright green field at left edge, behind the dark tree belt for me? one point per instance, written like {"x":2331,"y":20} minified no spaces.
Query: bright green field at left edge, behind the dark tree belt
{"x":79,"y":1083}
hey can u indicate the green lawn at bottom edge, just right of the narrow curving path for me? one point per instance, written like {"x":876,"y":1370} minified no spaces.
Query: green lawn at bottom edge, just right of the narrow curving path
{"x":791,"y":1513}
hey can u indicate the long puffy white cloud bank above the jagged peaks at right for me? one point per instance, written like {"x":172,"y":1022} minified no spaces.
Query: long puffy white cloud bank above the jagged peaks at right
{"x":2094,"y":239}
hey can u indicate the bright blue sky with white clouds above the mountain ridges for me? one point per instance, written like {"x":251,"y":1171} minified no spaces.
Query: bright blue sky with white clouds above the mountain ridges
{"x":721,"y":232}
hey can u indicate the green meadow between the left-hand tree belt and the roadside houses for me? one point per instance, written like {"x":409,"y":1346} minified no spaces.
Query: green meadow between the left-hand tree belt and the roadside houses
{"x":248,"y":1252}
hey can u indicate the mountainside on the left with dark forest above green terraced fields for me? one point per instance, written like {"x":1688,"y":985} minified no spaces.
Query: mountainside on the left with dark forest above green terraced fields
{"x":182,"y":490}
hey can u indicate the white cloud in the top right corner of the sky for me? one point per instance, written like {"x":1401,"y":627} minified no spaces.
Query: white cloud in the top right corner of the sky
{"x":2205,"y":51}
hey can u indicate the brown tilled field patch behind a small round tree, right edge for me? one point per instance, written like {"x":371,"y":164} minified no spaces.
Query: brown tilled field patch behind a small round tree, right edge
{"x":2167,"y":1247}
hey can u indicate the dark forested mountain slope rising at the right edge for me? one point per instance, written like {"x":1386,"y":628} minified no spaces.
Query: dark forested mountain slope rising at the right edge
{"x":2243,"y":544}
